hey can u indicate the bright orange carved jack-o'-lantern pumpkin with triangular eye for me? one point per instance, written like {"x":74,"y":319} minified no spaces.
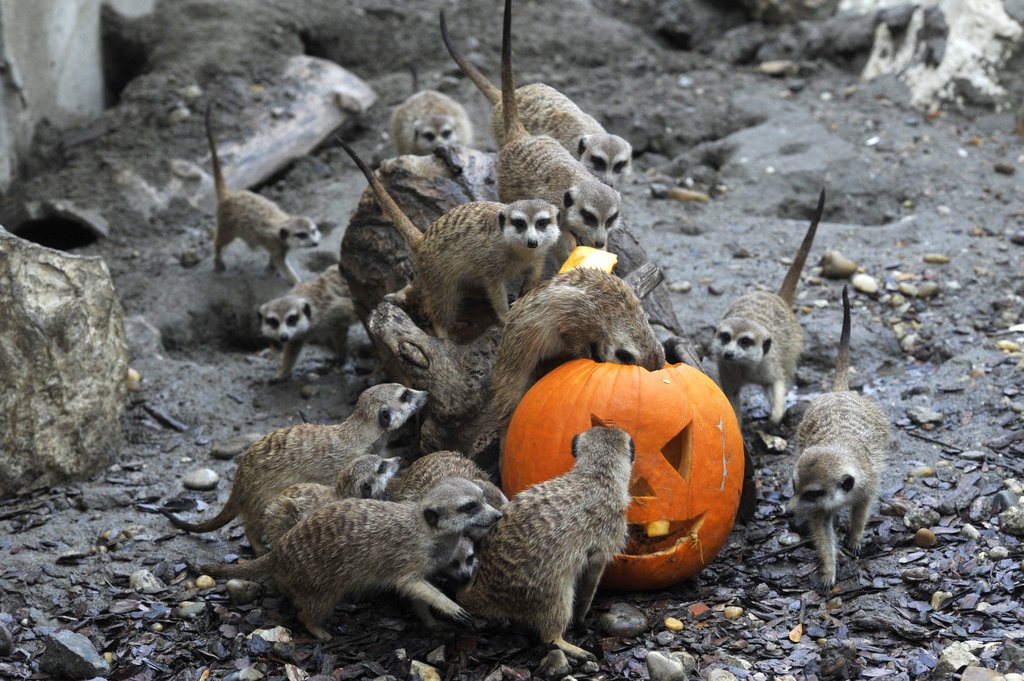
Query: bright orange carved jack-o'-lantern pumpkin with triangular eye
{"x":690,"y":459}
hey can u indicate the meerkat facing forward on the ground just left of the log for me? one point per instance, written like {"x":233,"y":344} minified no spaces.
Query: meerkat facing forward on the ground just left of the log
{"x":316,"y":312}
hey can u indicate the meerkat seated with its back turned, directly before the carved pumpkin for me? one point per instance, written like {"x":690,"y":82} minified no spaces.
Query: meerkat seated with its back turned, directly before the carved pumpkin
{"x":540,"y":565}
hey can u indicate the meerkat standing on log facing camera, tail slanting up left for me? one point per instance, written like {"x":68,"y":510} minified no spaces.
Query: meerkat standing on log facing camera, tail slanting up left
{"x":484,"y":243}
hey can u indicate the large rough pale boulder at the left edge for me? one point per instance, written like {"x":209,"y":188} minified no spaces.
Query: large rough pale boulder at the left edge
{"x":63,"y":366}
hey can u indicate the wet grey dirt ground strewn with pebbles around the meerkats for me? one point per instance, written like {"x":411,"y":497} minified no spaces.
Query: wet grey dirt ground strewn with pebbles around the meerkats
{"x":903,"y":187}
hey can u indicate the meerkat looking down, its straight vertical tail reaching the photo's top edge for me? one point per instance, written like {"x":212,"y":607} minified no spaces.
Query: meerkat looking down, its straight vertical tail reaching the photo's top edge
{"x":538,"y":167}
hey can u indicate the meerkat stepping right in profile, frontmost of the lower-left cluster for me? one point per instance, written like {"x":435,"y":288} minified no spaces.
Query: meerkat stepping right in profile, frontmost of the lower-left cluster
{"x":355,"y":546}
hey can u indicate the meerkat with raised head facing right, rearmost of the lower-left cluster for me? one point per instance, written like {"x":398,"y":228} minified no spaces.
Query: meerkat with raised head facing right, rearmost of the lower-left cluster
{"x":309,"y":453}
